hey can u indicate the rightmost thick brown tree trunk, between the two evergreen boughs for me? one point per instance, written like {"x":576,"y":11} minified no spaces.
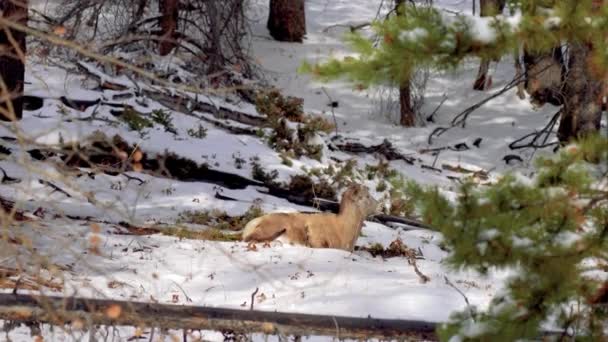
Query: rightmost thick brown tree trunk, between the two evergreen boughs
{"x":582,"y":110}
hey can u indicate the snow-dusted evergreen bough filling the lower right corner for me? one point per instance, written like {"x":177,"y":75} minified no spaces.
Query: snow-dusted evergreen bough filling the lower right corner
{"x":550,"y":231}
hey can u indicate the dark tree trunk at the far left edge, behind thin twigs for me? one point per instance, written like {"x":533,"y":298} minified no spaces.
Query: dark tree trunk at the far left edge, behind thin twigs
{"x":12,"y":60}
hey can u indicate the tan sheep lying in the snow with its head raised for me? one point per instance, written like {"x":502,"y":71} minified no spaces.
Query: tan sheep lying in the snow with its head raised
{"x":317,"y":230}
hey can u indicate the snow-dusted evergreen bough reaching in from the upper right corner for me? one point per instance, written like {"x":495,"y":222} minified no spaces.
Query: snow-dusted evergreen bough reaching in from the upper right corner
{"x":424,"y":36}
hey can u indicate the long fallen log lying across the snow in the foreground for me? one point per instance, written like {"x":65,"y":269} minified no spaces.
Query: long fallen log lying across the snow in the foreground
{"x":86,"y":312}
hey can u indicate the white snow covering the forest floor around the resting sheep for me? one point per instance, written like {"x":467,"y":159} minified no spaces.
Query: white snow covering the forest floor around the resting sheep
{"x":224,"y":274}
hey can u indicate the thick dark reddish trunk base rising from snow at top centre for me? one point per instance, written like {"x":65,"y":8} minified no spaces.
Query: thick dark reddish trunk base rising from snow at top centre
{"x":287,"y":20}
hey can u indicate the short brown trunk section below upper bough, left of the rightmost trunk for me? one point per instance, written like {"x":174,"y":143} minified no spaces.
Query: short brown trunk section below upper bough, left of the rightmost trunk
{"x":545,"y":76}
